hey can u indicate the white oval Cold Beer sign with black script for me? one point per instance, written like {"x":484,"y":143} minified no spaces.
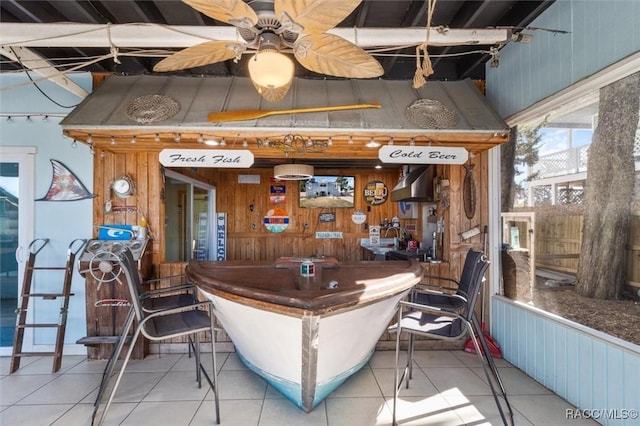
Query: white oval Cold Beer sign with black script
{"x":422,"y":154}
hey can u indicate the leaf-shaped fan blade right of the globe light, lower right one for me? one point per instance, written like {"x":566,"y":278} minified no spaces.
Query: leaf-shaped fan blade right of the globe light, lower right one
{"x":332,"y":55}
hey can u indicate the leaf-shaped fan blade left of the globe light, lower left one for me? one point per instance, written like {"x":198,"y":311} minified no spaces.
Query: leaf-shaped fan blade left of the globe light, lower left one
{"x":199,"y":55}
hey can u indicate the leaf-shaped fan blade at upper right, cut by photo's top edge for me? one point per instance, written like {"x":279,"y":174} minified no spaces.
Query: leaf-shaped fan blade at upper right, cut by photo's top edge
{"x":315,"y":16}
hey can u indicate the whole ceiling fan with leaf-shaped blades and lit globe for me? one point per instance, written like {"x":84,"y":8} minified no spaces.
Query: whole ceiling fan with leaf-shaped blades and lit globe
{"x":269,"y":27}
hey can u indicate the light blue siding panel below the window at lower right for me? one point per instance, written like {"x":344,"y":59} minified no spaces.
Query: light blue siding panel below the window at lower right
{"x":588,"y":369}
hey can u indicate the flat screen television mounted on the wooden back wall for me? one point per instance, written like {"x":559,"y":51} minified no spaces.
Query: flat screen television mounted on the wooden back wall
{"x":327,"y":192}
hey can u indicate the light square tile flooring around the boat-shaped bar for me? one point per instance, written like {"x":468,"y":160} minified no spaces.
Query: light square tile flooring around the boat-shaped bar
{"x":448,"y":389}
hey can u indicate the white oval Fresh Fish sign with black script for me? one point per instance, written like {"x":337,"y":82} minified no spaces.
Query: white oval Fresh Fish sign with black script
{"x":226,"y":158}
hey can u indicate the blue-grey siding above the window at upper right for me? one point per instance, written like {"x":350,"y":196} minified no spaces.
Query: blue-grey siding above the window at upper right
{"x":600,"y":34}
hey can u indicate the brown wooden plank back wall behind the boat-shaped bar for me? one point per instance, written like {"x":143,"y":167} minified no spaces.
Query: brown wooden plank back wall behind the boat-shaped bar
{"x":295,"y":240}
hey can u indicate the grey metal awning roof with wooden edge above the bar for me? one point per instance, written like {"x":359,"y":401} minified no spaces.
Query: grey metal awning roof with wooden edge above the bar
{"x":104,"y":113}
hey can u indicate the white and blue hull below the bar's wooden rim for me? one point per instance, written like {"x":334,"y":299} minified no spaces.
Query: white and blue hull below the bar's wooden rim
{"x":272,"y":345}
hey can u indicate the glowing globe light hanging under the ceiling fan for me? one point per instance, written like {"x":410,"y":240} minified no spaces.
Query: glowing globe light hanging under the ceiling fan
{"x":271,"y":71}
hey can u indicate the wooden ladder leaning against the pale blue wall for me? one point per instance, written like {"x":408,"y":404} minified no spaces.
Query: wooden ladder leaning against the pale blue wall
{"x":34,"y":248}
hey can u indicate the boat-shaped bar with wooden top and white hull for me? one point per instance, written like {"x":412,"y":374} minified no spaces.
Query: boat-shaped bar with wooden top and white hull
{"x":306,"y":347}
